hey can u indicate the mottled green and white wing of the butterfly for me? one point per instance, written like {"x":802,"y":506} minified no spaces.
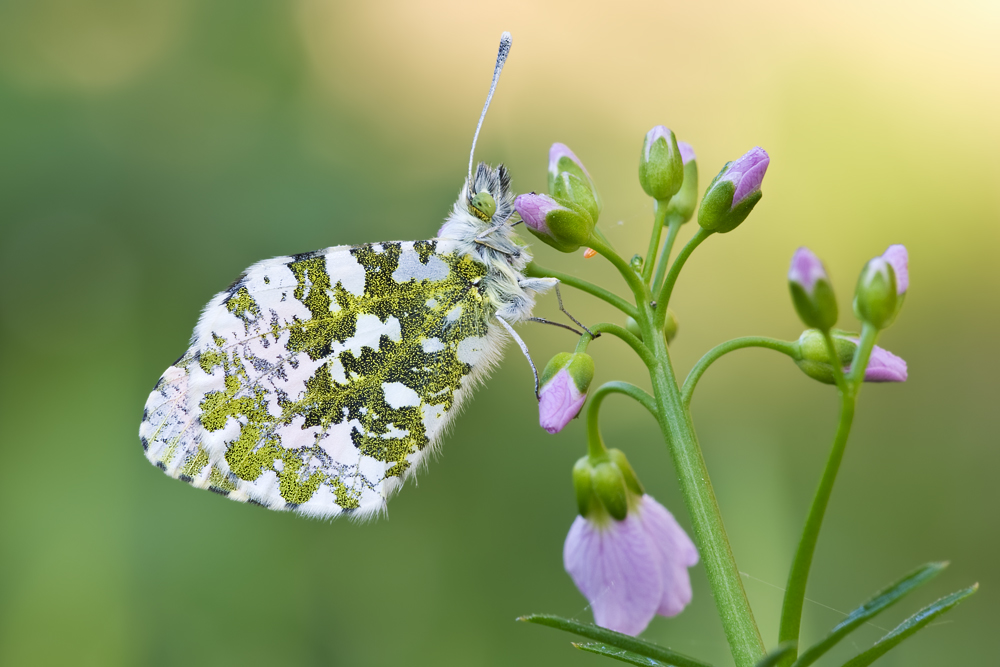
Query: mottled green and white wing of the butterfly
{"x":319,"y":382}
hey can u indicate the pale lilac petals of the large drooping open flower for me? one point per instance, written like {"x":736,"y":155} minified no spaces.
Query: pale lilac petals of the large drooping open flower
{"x":633,"y":569}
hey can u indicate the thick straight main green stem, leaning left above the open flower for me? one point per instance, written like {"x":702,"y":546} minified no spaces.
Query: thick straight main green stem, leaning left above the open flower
{"x":699,"y":497}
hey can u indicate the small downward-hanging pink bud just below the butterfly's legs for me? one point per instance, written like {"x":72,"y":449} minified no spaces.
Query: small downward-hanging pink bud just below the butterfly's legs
{"x":563,"y":392}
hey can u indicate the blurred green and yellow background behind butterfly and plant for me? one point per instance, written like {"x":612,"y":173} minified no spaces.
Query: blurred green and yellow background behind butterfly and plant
{"x":149,"y":151}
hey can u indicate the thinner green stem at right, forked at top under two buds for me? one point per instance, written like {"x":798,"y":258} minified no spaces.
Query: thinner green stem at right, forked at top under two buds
{"x":798,"y":577}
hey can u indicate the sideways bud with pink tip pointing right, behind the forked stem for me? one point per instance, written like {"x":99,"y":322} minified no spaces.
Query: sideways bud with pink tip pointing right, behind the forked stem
{"x":814,"y":361}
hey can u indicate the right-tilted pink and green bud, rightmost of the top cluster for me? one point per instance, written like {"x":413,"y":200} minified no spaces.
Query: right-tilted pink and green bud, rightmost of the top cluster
{"x":734,"y":192}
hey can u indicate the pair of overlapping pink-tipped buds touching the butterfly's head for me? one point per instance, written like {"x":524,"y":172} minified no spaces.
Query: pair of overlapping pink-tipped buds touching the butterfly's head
{"x":565,"y":218}
